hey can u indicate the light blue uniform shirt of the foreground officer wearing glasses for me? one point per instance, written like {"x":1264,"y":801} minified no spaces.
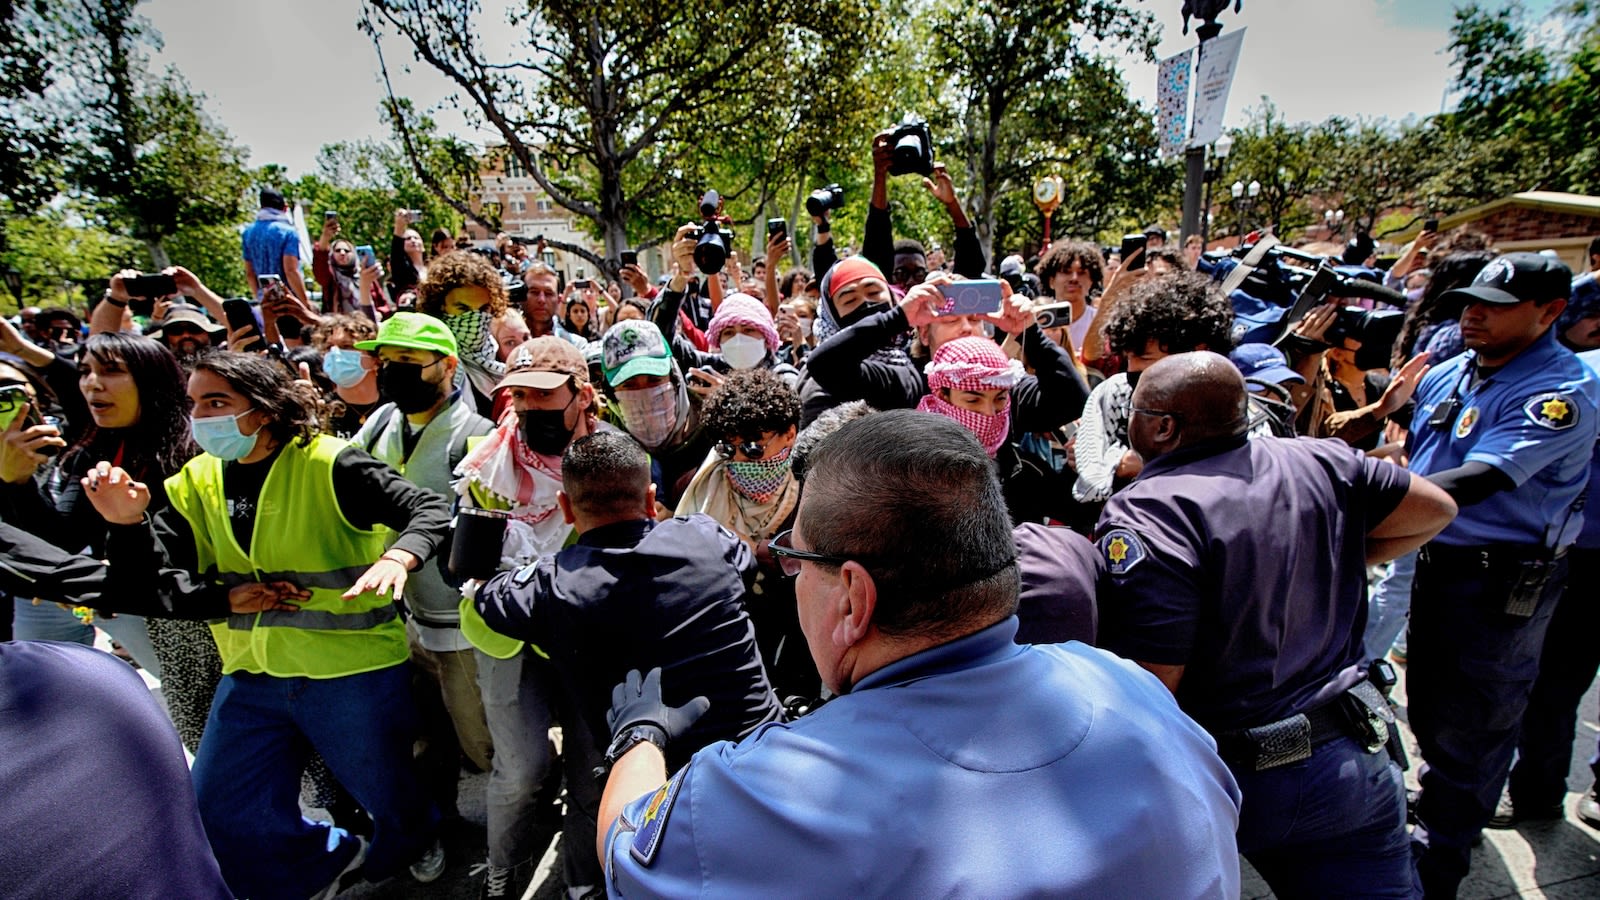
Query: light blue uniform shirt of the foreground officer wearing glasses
{"x":975,"y":769}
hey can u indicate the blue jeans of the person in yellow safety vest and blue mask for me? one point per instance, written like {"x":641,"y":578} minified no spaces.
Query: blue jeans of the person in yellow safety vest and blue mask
{"x":247,"y":779}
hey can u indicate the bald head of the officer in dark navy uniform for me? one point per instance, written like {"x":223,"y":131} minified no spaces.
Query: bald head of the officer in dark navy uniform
{"x":1194,"y":396}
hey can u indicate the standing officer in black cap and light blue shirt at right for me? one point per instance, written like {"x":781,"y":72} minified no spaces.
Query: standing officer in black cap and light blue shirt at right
{"x":1508,"y":428}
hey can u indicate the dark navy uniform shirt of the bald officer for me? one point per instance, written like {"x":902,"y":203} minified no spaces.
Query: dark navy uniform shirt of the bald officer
{"x":1246,"y":561}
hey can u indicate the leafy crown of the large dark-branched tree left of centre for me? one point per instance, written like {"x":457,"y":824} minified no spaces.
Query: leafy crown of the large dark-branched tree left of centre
{"x":615,"y":108}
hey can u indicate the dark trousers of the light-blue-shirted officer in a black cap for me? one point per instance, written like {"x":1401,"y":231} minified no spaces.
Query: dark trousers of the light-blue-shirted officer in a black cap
{"x":1470,"y":675}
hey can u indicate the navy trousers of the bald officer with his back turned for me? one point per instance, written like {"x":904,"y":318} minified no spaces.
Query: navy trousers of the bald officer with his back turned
{"x":1332,"y":826}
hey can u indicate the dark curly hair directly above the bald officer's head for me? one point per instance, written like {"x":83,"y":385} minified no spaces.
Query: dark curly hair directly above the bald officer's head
{"x":1182,"y":313}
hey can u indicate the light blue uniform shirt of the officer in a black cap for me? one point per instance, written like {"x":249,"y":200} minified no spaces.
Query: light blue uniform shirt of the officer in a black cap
{"x":1535,"y":420}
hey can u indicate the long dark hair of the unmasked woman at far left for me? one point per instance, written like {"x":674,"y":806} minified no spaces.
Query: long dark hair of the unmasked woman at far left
{"x":159,"y":444}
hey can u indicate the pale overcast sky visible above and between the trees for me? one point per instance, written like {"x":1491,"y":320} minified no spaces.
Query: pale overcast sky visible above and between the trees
{"x":290,"y":76}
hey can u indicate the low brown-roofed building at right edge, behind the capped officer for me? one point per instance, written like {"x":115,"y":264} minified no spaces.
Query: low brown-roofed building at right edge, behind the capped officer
{"x":1534,"y":220}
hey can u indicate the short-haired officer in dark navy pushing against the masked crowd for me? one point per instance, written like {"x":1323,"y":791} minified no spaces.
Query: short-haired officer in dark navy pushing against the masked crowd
{"x":602,"y":608}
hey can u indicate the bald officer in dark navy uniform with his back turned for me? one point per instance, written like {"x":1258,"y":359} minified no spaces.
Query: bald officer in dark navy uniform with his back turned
{"x":1236,"y":573}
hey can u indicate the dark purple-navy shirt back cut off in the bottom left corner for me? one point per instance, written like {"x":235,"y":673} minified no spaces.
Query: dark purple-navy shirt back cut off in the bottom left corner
{"x":97,"y":792}
